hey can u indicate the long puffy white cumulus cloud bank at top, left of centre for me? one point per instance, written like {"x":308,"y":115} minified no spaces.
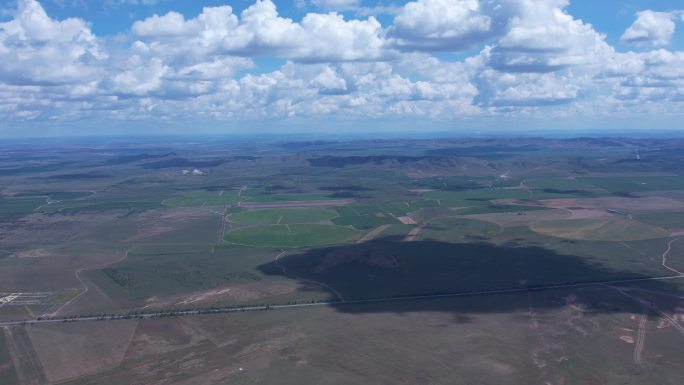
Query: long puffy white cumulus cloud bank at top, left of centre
{"x":260,"y":30}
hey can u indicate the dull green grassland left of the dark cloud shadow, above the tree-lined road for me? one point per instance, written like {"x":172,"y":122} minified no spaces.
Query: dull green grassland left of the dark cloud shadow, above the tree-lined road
{"x":162,"y":276}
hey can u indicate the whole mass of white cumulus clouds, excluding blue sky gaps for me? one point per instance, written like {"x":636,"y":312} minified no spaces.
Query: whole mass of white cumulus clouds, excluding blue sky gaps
{"x":516,"y":58}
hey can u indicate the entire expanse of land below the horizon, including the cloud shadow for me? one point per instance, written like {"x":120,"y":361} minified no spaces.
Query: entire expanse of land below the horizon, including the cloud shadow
{"x":455,"y":261}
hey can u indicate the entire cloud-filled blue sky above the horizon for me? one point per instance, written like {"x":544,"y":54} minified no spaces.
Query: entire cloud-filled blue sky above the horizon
{"x":175,"y":66}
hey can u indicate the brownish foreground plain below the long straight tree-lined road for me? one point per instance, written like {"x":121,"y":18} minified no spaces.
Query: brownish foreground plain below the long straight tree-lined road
{"x":289,"y":348}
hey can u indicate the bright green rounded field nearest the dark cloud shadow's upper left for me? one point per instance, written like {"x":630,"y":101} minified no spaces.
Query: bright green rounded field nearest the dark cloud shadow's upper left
{"x":296,"y":235}
